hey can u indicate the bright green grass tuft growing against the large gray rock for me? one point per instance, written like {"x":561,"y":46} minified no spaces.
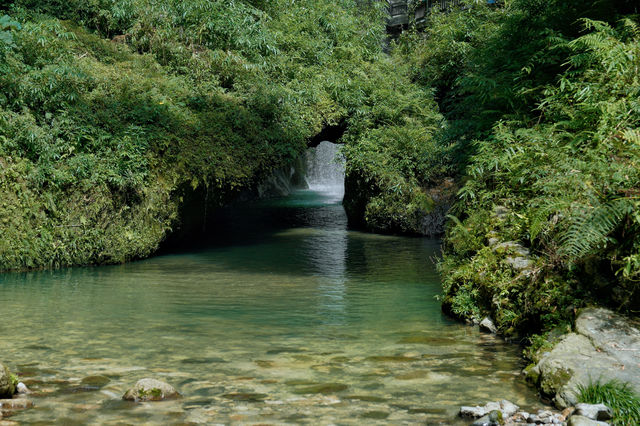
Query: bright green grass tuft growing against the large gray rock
{"x":624,"y":403}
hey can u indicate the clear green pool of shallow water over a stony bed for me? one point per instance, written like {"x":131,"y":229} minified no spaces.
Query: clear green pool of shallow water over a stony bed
{"x":288,"y":318}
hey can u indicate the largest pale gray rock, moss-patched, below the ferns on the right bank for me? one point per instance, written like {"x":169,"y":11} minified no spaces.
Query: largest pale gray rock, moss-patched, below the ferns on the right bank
{"x":605,"y":346}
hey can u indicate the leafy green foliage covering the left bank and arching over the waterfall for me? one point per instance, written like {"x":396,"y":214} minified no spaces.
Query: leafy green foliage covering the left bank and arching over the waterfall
{"x":114,"y":112}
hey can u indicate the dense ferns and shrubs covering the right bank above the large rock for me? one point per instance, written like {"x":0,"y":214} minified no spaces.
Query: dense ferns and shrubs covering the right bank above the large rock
{"x":542,"y":101}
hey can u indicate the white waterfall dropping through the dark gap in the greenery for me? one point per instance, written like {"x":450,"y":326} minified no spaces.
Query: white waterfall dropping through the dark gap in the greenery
{"x":325,"y":169}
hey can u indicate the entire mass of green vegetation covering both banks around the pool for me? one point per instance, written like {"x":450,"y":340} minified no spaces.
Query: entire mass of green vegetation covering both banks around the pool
{"x":113,"y":112}
